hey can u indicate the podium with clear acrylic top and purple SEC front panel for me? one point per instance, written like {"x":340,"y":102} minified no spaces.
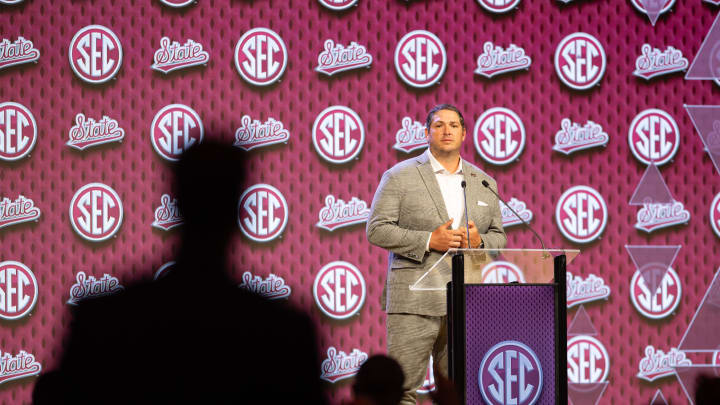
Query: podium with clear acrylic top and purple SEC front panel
{"x":500,"y":298}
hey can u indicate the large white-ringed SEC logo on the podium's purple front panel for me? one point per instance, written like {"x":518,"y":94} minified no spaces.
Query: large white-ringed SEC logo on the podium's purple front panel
{"x":510,"y":373}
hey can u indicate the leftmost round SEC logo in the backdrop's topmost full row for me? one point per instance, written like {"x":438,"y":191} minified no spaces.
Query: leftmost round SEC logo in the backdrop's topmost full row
{"x":95,"y":54}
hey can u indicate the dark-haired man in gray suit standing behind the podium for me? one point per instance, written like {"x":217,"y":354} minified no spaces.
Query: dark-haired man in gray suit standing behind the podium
{"x":418,"y":213}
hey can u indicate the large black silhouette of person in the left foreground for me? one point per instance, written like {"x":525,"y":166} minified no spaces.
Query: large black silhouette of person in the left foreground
{"x":192,"y":336}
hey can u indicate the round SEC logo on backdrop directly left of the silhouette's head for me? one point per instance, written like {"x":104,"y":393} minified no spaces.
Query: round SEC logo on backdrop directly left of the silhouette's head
{"x":96,"y":212}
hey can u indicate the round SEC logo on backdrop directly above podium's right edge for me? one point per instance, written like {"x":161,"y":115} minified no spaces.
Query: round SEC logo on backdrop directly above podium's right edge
{"x":581,"y":214}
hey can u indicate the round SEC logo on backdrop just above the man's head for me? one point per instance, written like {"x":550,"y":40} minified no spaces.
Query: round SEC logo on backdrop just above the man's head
{"x":420,"y":59}
